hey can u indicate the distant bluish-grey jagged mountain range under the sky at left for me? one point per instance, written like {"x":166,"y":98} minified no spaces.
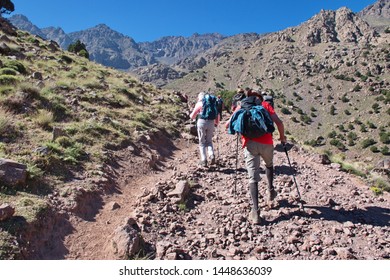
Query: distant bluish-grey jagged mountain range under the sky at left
{"x":111,"y":48}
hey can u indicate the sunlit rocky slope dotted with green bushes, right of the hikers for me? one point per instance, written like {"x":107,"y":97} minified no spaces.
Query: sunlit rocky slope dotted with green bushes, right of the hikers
{"x":326,"y":76}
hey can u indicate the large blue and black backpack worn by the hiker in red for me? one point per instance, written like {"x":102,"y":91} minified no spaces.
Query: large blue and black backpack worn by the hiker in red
{"x":252,"y":120}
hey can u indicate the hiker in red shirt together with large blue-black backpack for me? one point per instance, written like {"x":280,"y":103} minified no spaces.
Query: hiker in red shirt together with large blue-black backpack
{"x":254,"y":119}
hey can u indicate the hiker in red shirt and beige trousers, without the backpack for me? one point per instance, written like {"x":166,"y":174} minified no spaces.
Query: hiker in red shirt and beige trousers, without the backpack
{"x":255,"y":148}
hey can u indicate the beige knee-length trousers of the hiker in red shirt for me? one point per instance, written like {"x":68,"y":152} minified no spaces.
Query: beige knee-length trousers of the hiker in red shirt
{"x":253,"y":151}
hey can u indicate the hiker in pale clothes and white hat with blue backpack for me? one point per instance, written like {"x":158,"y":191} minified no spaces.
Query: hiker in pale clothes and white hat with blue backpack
{"x":208,"y":118}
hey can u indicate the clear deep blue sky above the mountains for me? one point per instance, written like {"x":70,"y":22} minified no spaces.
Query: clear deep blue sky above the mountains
{"x":148,"y":20}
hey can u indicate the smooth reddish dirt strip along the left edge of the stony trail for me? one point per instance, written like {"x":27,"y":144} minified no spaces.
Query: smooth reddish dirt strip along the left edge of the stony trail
{"x":90,"y":238}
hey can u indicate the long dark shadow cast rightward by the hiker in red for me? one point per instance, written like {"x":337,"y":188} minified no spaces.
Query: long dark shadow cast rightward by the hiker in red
{"x":371,"y":215}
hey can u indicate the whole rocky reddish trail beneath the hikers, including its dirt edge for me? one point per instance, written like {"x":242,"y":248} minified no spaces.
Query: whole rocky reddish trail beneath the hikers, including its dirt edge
{"x":182,"y":211}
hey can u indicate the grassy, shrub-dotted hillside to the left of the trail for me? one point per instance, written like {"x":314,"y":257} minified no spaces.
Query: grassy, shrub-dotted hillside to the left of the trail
{"x":62,"y":115}
